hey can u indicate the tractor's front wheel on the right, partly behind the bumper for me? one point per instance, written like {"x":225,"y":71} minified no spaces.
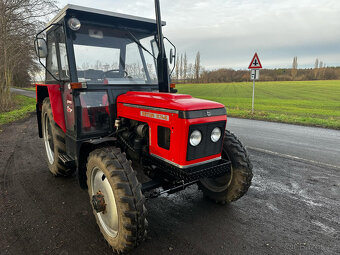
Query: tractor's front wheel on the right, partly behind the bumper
{"x":230,"y":187}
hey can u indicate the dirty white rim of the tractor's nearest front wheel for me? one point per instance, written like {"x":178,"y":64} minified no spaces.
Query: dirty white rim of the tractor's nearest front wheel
{"x":109,"y":218}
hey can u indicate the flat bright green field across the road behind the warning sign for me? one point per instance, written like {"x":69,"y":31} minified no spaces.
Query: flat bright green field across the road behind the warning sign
{"x":314,"y":103}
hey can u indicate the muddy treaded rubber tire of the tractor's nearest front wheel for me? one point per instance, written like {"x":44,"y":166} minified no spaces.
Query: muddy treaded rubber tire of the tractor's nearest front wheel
{"x":125,"y":180}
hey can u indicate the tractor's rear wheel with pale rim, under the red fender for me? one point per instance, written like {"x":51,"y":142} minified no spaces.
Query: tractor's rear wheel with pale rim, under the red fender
{"x":54,"y":140}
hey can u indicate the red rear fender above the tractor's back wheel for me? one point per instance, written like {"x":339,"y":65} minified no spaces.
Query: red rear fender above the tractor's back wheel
{"x":56,"y":103}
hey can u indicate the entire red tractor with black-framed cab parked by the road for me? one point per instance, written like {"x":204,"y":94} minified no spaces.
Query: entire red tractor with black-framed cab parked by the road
{"x":107,"y":108}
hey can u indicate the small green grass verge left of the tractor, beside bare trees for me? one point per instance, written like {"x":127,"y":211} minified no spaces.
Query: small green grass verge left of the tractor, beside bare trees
{"x":24,"y":105}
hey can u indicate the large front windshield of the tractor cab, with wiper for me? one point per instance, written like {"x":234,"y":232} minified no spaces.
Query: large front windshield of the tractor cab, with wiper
{"x":114,"y":56}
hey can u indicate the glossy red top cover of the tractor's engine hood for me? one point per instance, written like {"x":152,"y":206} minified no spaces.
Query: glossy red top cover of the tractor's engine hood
{"x":169,"y":101}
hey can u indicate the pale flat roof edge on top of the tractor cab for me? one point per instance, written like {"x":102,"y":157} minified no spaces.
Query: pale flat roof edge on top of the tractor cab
{"x":70,"y":8}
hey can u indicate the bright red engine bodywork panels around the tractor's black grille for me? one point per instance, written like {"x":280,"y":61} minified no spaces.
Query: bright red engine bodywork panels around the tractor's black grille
{"x":159,"y":109}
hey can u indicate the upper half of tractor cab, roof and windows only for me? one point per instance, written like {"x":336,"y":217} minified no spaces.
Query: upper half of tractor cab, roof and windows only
{"x":97,"y":47}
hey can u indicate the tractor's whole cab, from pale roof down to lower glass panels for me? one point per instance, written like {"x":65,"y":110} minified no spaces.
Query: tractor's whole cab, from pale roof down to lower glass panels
{"x":93,"y":56}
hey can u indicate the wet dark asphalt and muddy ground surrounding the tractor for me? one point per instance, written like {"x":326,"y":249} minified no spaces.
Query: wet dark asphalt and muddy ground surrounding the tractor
{"x":292,"y":206}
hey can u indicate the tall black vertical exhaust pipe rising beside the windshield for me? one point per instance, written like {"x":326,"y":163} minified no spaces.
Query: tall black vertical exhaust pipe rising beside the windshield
{"x":162,"y":61}
